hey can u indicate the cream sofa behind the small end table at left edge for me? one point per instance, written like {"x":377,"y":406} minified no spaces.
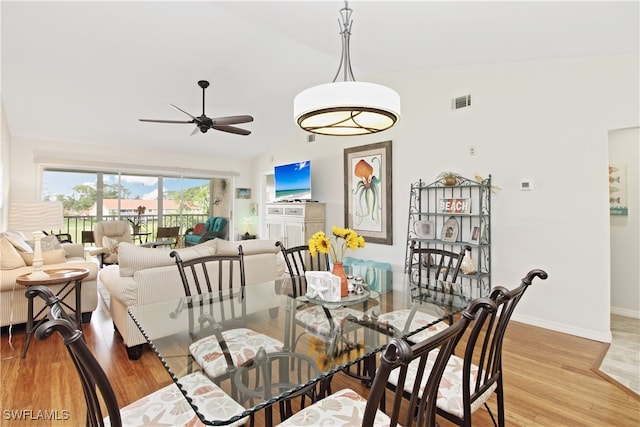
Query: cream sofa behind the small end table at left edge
{"x":13,"y":304}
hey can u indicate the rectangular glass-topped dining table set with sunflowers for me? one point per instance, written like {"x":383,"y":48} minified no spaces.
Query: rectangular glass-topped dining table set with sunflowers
{"x":356,"y":329}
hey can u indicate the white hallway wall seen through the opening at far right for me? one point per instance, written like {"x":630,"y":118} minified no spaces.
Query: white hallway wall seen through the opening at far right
{"x":624,"y":148}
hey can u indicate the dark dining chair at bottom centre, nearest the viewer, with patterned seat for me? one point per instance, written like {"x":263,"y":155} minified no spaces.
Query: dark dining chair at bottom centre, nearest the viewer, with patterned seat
{"x":429,"y":357}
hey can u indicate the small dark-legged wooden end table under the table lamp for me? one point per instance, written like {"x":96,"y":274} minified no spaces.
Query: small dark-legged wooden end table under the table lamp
{"x":71,"y":278}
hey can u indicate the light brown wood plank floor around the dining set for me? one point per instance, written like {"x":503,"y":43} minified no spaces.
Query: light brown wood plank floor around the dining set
{"x":548,"y":380}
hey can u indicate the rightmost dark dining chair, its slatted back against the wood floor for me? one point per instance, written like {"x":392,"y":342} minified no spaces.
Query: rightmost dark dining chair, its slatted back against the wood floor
{"x":469,"y":380}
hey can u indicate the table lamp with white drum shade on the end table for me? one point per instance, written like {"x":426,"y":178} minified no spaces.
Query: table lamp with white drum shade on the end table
{"x":33,"y":216}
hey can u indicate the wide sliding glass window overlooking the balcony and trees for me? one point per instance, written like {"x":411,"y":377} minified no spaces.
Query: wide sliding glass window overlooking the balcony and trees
{"x":168,"y":201}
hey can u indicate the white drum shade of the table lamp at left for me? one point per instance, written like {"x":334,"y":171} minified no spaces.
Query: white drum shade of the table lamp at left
{"x":31,"y":215}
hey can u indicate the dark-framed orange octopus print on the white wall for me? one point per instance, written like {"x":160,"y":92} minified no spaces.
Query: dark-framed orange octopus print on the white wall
{"x":367,"y":192}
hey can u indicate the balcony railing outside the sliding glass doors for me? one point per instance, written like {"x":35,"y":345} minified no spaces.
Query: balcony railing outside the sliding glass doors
{"x":76,"y":224}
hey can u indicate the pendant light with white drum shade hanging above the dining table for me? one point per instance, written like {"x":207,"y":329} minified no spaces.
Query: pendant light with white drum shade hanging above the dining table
{"x":348,"y":107}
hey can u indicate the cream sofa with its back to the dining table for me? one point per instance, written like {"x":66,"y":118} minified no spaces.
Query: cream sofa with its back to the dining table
{"x":147,"y":275}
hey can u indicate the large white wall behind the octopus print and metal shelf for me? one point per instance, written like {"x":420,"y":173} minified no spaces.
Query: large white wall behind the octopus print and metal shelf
{"x":545,"y":121}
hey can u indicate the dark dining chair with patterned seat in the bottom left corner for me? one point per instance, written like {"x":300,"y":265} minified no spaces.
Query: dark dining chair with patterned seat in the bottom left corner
{"x":167,"y":406}
